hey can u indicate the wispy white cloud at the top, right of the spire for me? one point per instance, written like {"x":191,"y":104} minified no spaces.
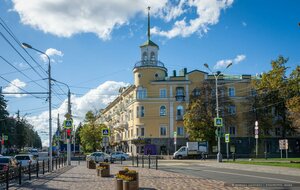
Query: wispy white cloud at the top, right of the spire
{"x":208,"y":13}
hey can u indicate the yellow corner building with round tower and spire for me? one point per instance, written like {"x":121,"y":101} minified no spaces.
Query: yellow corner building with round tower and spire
{"x":145,"y":115}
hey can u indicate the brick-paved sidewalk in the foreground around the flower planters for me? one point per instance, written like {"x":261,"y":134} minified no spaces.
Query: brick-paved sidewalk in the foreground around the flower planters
{"x":79,"y":177}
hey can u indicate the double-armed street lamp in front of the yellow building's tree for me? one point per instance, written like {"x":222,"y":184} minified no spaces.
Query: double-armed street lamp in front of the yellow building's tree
{"x":216,"y":75}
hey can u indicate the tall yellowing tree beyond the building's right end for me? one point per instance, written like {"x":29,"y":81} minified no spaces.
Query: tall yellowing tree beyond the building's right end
{"x":273,"y":93}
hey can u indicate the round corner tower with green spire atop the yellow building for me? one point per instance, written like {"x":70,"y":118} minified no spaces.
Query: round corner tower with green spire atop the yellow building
{"x":149,"y":68}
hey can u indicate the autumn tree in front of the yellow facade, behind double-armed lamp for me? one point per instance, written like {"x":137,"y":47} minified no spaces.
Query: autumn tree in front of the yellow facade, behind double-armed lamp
{"x":199,"y":117}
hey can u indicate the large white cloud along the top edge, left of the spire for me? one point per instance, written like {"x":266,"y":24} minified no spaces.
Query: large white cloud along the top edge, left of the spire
{"x":66,"y":18}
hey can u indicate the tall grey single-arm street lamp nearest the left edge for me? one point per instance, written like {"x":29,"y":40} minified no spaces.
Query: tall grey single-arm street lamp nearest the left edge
{"x":25,"y":45}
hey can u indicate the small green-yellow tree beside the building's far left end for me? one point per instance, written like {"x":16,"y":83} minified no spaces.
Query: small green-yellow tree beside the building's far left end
{"x":91,"y":133}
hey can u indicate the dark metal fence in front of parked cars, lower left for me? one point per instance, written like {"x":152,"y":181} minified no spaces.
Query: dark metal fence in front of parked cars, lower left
{"x":21,"y":173}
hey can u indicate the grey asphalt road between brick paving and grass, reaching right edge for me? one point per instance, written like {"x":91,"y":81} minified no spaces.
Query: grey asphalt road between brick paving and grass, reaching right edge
{"x":230,"y":176}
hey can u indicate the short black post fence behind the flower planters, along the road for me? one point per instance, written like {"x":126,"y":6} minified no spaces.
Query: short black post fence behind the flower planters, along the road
{"x":144,"y":161}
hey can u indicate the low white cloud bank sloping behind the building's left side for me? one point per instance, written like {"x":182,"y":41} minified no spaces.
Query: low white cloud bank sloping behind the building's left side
{"x":95,"y":99}
